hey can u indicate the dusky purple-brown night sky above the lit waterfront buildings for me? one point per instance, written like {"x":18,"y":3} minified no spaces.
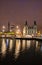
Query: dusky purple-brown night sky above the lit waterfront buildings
{"x":18,"y":11}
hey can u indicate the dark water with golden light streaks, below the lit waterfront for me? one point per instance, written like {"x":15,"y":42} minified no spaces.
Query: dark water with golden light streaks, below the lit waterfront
{"x":19,"y":53}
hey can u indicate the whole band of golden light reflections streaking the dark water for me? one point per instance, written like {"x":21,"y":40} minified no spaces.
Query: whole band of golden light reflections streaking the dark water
{"x":19,"y":46}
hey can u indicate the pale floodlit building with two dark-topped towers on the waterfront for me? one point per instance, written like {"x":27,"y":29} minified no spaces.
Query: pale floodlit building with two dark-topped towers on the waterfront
{"x":29,"y":30}
